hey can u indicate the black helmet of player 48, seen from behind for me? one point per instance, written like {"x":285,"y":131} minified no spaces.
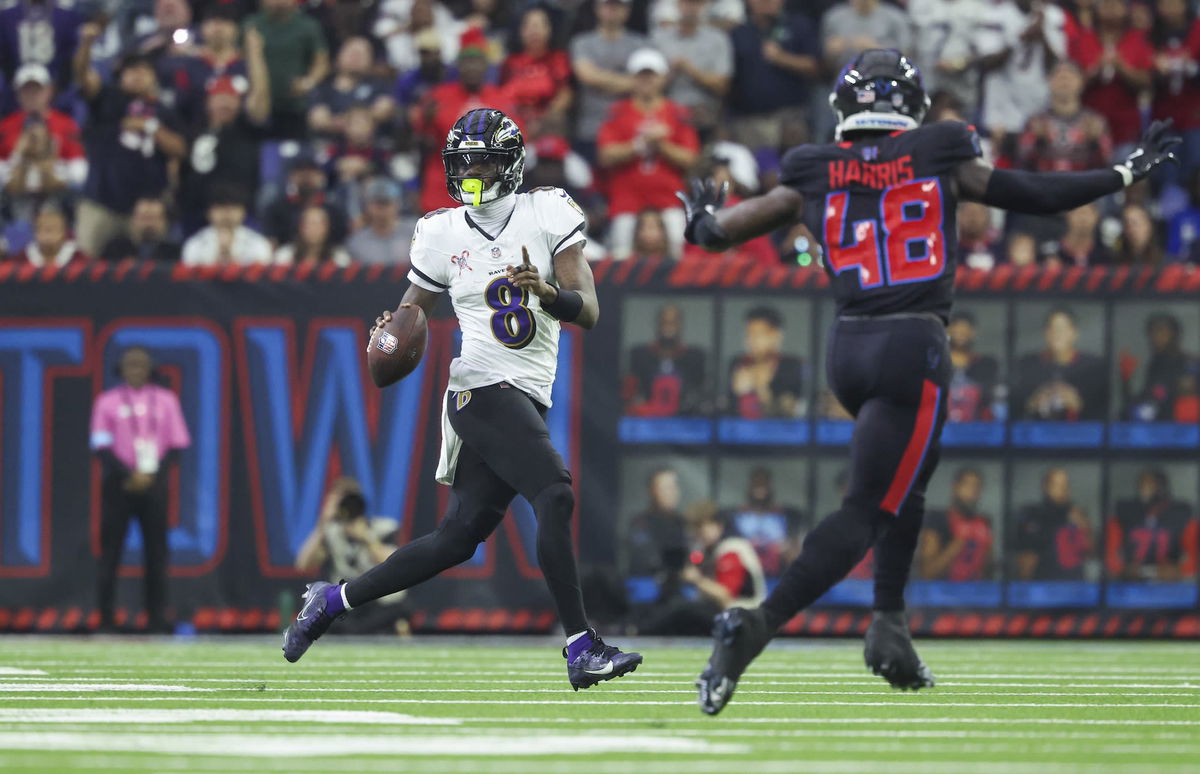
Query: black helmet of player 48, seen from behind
{"x":879,"y":91}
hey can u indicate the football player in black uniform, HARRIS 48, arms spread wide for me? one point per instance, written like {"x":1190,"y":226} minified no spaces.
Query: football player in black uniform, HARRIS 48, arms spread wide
{"x":883,"y":200}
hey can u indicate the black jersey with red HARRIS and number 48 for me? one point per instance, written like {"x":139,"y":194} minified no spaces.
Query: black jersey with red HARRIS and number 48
{"x":885,"y":213}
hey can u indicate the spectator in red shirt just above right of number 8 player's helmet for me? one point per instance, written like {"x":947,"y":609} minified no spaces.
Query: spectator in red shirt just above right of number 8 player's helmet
{"x":537,"y":80}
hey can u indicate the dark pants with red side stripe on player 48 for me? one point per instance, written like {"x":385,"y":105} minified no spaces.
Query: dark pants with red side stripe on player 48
{"x":892,"y":375}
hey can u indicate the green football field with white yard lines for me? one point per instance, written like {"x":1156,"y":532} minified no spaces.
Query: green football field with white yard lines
{"x":457,"y":705}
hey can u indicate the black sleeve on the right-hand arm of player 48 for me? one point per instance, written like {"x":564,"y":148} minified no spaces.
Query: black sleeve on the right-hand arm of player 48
{"x":1049,"y":193}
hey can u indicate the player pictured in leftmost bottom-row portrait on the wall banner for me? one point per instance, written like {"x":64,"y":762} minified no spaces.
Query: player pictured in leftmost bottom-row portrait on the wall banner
{"x":656,"y":541}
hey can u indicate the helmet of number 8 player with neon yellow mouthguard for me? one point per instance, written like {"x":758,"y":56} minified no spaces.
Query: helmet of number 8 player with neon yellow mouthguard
{"x":484,"y":145}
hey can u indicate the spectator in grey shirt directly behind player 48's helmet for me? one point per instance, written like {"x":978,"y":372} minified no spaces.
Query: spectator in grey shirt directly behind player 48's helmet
{"x":859,"y":25}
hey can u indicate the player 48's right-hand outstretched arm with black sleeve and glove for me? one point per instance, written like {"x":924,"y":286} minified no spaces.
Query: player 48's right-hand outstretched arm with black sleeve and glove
{"x":1049,"y":193}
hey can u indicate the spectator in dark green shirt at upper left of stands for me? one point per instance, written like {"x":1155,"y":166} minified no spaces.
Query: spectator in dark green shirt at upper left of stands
{"x":297,"y":61}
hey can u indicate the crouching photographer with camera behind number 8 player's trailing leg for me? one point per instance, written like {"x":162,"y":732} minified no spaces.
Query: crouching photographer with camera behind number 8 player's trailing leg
{"x":345,"y":544}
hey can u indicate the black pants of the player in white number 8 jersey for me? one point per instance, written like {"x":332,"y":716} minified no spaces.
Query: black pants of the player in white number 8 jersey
{"x":506,"y":452}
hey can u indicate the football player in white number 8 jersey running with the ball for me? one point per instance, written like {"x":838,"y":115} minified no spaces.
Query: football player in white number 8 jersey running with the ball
{"x":514,"y":267}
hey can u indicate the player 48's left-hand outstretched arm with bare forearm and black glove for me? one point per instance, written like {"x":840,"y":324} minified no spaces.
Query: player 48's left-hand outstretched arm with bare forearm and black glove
{"x":717,"y":230}
